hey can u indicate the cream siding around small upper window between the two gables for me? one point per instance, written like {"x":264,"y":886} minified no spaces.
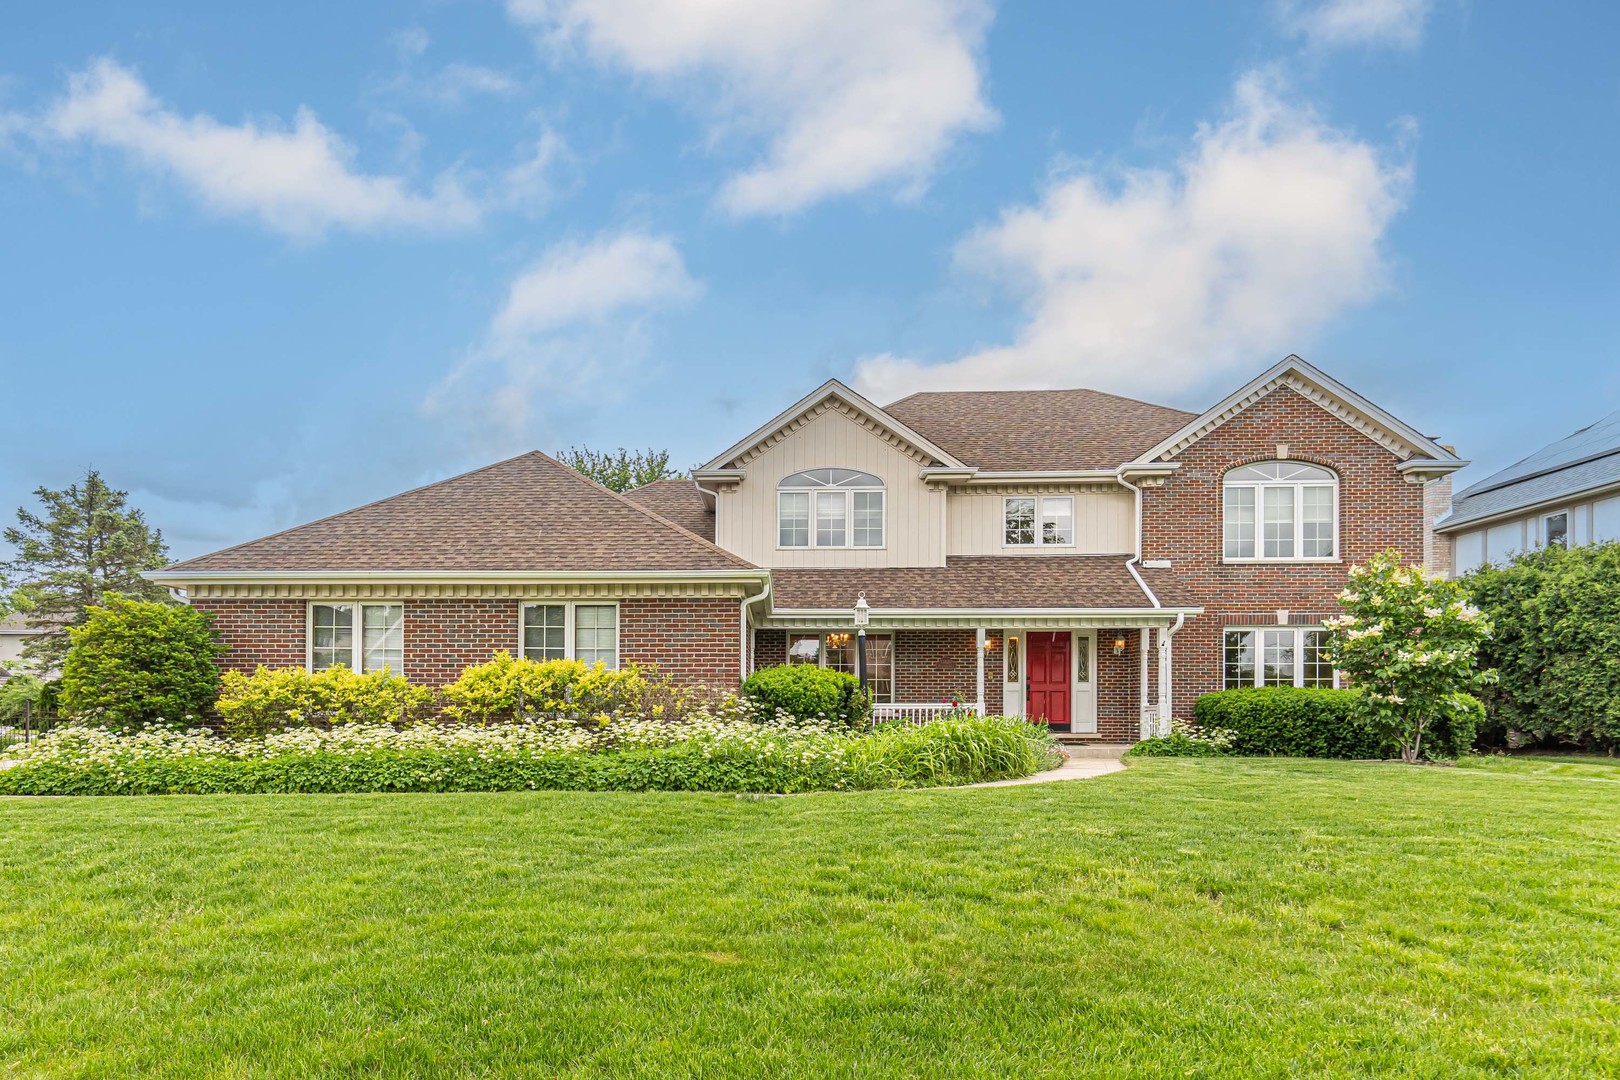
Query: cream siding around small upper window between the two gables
{"x":1104,"y":522}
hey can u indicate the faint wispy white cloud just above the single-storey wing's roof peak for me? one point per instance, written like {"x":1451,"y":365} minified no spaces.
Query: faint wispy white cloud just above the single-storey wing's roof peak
{"x":573,"y":326}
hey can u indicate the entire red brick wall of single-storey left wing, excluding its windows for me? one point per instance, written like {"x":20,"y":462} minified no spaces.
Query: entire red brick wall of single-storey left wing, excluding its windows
{"x":693,"y":639}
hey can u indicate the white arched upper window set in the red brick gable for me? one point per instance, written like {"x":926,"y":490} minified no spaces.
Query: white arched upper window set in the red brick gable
{"x":1281,"y":511}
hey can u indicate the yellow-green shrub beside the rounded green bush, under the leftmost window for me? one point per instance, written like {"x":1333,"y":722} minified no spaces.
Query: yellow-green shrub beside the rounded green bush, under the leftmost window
{"x":276,"y":699}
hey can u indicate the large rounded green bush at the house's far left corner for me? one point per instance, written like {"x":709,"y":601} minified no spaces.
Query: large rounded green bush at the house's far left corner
{"x":137,"y":663}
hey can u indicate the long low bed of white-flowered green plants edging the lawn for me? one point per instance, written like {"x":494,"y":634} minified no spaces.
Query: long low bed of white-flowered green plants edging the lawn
{"x":706,"y":752}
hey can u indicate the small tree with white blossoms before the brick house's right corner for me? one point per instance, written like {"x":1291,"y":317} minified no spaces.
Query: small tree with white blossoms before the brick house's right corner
{"x":1410,"y":644}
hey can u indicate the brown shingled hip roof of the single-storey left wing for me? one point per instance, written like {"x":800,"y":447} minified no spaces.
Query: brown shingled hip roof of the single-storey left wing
{"x":524,"y":514}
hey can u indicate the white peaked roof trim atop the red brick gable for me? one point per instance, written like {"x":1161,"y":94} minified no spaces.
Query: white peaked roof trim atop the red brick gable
{"x":1399,"y":438}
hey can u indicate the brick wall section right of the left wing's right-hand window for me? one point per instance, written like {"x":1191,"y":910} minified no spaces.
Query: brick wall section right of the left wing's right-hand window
{"x":696,"y":640}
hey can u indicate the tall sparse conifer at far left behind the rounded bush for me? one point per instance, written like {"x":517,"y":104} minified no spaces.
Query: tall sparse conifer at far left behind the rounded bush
{"x":85,"y":545}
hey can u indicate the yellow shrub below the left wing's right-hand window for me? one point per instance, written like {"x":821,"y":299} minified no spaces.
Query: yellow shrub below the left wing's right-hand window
{"x":514,"y":689}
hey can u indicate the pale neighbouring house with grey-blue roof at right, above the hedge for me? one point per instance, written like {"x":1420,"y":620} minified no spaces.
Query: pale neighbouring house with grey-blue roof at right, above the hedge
{"x":1567,"y":493}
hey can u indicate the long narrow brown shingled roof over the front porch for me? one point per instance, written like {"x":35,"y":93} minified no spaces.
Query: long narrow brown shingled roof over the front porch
{"x":974,"y":582}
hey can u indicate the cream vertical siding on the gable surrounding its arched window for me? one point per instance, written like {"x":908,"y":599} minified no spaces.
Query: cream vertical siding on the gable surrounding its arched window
{"x":914,"y":512}
